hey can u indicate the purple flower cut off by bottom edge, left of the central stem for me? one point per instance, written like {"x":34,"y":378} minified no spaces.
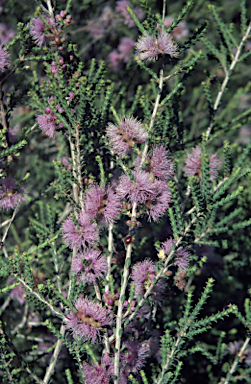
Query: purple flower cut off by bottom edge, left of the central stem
{"x":100,"y":373}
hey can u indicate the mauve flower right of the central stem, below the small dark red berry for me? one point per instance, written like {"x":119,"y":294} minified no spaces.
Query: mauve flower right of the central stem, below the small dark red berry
{"x":143,"y":274}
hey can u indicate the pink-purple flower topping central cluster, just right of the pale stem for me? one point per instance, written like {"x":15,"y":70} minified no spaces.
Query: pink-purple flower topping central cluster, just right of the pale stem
{"x":161,"y":164}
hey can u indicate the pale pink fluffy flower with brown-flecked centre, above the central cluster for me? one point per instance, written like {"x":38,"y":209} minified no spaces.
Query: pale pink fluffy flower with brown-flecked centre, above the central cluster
{"x":128,"y":132}
